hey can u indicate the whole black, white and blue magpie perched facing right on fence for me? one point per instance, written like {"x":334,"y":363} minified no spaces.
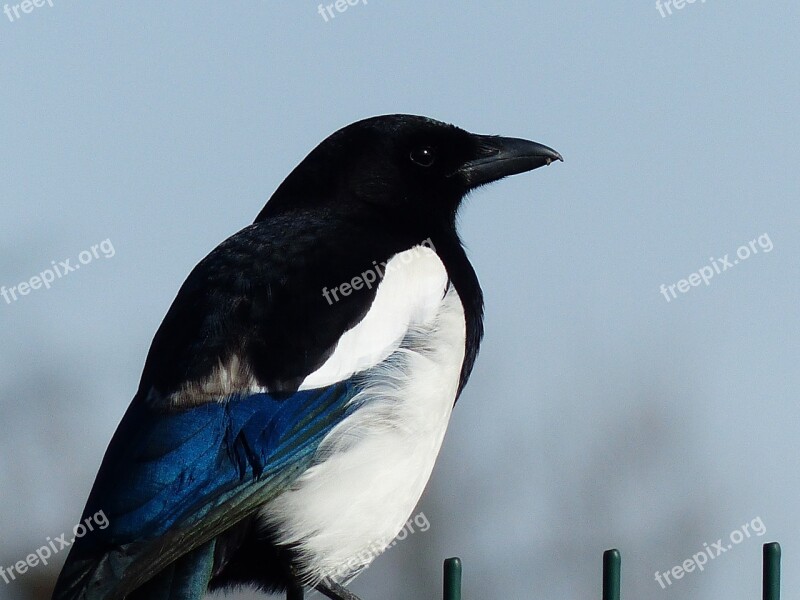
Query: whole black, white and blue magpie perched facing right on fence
{"x":296,"y":395}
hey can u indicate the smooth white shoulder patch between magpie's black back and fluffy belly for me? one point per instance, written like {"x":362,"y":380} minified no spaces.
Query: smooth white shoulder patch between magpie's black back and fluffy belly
{"x":409,"y":295}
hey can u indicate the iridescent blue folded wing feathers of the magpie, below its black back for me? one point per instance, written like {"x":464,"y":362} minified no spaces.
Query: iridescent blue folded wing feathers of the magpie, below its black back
{"x":173,"y":479}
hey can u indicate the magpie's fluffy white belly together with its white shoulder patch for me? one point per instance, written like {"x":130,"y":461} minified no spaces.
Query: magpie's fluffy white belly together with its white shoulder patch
{"x":346,"y":509}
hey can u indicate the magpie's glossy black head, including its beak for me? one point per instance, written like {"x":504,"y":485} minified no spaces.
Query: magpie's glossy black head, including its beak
{"x":404,"y":166}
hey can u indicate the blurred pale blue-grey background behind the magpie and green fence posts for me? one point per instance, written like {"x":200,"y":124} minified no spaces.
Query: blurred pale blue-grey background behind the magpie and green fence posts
{"x":599,"y":414}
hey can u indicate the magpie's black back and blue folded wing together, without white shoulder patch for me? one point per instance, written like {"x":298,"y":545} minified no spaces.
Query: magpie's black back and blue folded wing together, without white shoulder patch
{"x":174,"y":478}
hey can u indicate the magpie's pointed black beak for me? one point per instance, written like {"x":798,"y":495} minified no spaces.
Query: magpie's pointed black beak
{"x":500,"y":157}
